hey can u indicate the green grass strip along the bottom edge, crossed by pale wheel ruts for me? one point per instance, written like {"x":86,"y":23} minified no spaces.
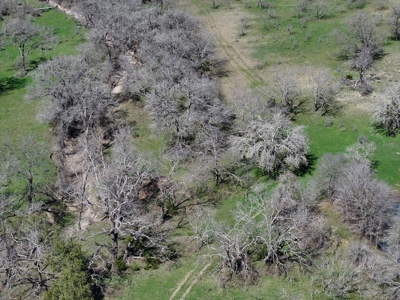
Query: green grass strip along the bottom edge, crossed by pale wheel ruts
{"x":163,"y":282}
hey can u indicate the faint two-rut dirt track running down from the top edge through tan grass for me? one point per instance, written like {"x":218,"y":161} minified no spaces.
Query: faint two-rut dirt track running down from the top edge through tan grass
{"x":235,"y":58}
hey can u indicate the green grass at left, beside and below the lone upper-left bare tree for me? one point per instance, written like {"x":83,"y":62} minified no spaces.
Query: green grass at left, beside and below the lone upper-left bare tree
{"x":17,"y":117}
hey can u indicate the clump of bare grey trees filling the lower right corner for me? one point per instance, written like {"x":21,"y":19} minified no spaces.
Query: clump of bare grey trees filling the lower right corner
{"x":283,"y":228}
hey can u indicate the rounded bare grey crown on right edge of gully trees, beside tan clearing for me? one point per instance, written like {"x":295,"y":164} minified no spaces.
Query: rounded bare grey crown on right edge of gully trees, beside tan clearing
{"x":186,"y":109}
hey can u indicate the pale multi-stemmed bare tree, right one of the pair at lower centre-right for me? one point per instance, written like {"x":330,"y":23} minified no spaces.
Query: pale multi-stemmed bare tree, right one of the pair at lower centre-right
{"x":287,"y":221}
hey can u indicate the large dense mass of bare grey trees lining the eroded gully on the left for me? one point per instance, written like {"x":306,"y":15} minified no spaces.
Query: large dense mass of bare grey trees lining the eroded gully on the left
{"x":164,"y":59}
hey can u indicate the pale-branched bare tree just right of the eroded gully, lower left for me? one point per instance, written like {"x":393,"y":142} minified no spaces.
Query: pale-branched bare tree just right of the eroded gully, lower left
{"x":120,"y":181}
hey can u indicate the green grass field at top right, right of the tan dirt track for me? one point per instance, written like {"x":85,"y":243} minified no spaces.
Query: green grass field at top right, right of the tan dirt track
{"x":312,"y":44}
